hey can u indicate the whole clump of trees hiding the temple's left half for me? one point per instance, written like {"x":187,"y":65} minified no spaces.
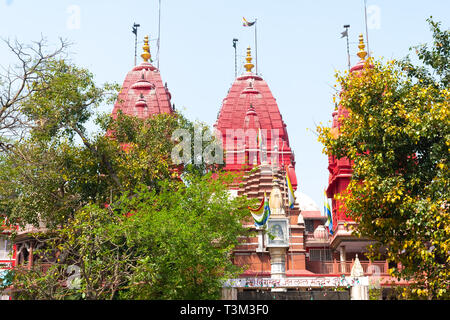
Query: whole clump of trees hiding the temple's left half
{"x":113,"y":203}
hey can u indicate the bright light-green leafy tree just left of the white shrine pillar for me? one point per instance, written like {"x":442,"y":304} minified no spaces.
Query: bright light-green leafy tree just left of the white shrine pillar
{"x":185,"y":239}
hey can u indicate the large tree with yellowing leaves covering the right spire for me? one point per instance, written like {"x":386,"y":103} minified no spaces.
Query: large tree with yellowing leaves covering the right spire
{"x":397,"y":134}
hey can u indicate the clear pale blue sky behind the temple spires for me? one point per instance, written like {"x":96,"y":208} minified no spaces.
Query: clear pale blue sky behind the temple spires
{"x":299,"y":50}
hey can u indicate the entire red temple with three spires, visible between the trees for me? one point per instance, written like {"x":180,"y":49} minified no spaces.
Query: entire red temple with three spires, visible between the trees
{"x":296,"y":250}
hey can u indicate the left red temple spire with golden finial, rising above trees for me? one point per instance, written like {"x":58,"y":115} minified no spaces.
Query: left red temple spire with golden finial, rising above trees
{"x":143,"y":93}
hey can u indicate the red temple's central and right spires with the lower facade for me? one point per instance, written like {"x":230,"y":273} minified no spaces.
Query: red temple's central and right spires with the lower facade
{"x":308,"y":259}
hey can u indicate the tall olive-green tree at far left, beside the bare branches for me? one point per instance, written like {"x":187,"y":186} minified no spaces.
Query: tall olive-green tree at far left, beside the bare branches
{"x":43,"y":175}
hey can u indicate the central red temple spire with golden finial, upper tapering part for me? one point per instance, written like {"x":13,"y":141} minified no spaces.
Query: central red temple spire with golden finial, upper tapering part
{"x":250,"y":104}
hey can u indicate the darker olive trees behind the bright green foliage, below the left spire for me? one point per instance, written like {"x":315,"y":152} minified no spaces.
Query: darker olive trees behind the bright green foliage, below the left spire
{"x":49,"y":174}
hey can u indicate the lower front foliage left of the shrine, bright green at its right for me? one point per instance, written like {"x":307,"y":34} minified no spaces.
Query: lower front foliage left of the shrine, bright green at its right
{"x":170,"y":244}
